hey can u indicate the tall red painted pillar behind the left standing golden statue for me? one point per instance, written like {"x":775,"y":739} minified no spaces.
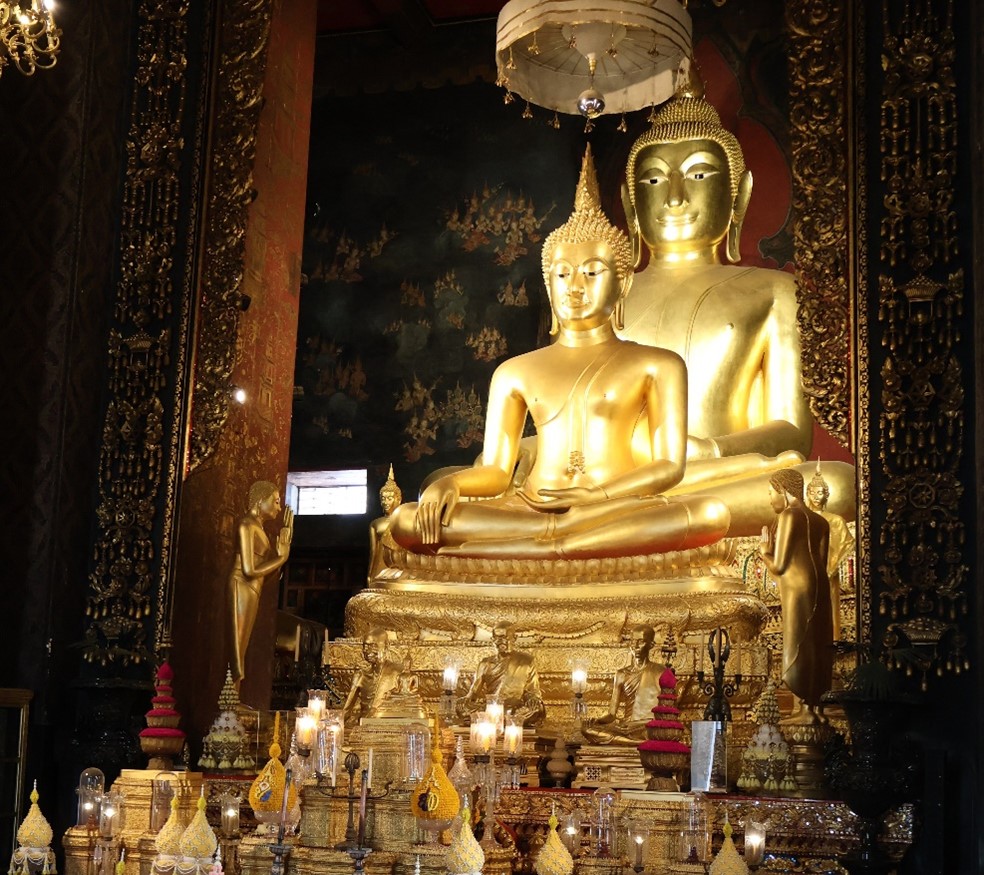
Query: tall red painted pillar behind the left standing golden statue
{"x":256,"y":439}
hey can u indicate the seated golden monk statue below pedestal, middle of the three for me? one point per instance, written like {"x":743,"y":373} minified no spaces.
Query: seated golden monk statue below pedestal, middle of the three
{"x":510,"y":678}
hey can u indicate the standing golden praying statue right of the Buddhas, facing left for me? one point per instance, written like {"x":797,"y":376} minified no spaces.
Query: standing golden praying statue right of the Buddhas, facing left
{"x":794,"y":550}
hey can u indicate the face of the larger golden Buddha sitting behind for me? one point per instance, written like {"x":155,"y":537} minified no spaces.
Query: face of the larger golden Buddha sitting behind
{"x":683,"y":195}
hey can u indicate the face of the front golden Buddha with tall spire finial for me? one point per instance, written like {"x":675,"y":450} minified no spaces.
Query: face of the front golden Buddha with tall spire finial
{"x":584,"y":285}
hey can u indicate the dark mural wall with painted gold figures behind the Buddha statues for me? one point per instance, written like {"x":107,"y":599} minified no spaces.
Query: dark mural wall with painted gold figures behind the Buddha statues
{"x":427,"y":212}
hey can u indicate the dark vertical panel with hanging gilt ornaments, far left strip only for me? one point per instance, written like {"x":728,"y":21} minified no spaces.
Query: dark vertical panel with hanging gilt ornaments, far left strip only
{"x":137,"y":449}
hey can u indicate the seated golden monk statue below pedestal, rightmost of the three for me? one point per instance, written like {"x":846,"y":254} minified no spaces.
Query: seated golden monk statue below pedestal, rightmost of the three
{"x":635,"y":693}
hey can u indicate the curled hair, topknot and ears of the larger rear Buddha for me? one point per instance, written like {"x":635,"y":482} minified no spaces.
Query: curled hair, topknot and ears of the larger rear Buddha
{"x":688,"y":116}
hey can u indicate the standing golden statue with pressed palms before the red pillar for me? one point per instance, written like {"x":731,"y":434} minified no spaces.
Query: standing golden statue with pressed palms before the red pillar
{"x":255,"y":559}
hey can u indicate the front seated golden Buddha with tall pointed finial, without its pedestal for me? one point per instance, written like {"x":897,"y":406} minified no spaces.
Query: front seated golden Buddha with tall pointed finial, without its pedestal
{"x":611,"y":421}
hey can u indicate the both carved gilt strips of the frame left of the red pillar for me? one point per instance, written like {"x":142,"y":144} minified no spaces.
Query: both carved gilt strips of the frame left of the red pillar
{"x":171,"y":127}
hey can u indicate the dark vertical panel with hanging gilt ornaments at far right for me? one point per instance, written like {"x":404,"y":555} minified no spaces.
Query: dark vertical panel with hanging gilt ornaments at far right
{"x":921,"y":437}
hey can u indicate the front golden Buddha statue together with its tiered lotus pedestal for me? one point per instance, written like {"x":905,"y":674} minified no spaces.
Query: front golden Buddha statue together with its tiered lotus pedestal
{"x":569,"y":538}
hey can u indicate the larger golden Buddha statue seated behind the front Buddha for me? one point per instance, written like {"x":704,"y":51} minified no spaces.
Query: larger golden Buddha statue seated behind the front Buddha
{"x":686,"y":194}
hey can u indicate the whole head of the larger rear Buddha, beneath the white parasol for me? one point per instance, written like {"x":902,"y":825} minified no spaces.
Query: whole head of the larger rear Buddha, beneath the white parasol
{"x":686,"y":181}
